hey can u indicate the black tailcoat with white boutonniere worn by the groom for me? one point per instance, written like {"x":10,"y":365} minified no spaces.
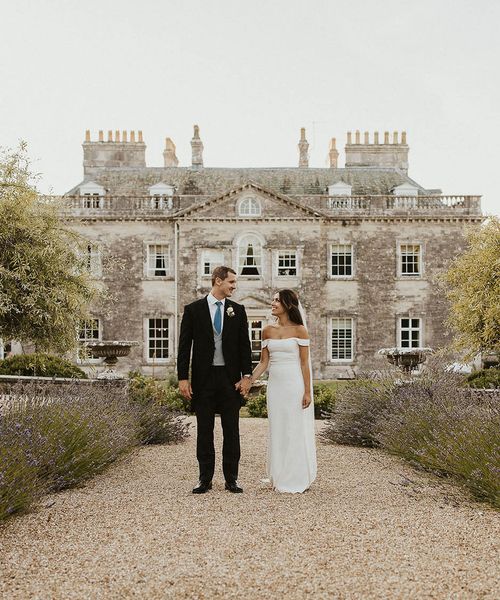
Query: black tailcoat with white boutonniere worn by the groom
{"x":197,"y":334}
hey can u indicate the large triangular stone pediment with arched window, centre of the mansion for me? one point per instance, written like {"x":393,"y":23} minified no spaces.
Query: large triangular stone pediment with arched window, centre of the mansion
{"x":257,"y":202}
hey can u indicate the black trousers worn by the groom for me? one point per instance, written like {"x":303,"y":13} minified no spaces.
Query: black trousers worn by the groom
{"x":218,"y":396}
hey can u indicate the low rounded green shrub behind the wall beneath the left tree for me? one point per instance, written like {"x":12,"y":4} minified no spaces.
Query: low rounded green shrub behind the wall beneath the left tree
{"x":41,"y":365}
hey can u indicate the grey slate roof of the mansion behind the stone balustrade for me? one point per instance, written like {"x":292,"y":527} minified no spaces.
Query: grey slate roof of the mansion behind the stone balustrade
{"x":210,"y":182}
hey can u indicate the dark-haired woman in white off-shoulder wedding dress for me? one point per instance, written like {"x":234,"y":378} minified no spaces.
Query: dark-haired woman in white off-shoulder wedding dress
{"x":291,"y":451}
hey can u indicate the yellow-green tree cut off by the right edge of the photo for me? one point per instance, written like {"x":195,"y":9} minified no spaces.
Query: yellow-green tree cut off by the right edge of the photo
{"x":473,"y":287}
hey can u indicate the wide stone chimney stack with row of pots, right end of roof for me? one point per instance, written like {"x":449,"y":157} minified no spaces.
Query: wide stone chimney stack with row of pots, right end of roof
{"x":375,"y":154}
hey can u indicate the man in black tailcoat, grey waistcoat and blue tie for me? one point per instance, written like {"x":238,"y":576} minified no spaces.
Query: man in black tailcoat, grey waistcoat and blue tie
{"x":217,"y":330}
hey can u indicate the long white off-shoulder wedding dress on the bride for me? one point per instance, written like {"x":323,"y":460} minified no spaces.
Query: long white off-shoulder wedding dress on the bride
{"x":291,"y":451}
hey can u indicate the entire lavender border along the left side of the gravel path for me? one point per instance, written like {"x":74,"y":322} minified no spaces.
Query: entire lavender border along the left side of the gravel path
{"x":54,"y":437}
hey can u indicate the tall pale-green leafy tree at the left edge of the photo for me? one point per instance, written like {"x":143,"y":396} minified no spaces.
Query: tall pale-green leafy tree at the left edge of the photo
{"x":45,"y":289}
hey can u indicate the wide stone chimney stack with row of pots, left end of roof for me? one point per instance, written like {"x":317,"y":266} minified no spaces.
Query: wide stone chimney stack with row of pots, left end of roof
{"x":121,"y":150}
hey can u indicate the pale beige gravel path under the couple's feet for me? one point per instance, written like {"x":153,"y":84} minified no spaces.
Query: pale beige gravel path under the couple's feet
{"x":370,"y":527}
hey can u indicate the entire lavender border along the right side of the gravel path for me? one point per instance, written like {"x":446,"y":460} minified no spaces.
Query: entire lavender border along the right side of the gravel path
{"x":433,"y":421}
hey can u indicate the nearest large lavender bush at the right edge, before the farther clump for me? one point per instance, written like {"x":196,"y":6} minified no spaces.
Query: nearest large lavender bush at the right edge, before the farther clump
{"x":438,"y":424}
